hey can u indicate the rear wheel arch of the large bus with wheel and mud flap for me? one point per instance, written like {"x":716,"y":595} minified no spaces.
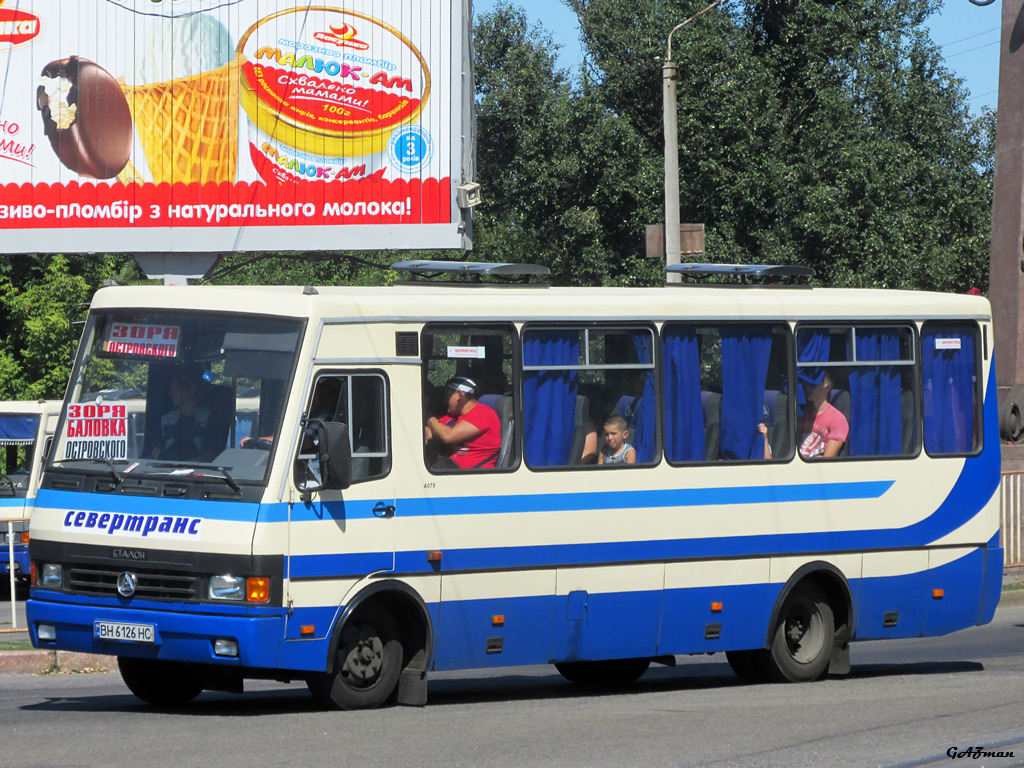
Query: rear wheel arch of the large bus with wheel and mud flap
{"x":812,"y":626}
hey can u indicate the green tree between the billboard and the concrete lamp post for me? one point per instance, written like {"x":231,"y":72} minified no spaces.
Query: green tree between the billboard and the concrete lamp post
{"x":566,"y":183}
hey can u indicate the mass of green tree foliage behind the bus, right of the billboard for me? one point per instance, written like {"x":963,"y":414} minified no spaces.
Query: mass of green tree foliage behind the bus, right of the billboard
{"x":822,"y":134}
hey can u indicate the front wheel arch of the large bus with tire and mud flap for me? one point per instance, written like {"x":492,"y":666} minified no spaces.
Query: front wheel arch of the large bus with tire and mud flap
{"x":404,"y":632}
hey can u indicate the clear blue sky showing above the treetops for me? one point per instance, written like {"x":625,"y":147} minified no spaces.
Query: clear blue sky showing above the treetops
{"x":969,"y":36}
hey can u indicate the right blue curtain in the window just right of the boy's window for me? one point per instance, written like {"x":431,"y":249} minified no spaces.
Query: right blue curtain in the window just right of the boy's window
{"x":746,"y":351}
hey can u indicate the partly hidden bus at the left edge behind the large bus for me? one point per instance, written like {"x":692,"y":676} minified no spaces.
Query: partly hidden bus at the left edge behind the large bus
{"x":26,"y":430}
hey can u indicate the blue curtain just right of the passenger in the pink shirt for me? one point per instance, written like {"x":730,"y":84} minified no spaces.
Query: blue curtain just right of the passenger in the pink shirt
{"x":876,"y":428}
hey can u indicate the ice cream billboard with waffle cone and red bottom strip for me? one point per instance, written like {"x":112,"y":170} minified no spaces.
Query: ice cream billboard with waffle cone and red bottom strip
{"x":178,"y":126}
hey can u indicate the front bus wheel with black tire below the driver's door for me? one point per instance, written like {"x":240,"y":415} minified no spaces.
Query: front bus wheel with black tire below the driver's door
{"x":367,"y":664}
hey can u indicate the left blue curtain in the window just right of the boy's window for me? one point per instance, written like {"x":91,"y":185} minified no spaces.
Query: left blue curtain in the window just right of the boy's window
{"x":685,"y":428}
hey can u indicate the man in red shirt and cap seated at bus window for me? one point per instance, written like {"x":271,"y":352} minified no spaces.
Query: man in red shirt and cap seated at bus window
{"x":472,"y":432}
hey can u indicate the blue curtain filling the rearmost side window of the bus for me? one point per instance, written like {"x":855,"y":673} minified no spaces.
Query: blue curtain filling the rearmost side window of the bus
{"x":950,"y":390}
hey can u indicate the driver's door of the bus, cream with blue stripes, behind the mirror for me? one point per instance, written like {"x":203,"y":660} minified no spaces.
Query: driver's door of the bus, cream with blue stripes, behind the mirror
{"x":347,"y":535}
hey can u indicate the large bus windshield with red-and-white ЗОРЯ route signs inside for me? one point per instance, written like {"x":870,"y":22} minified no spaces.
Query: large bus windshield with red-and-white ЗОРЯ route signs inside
{"x":170,"y":394}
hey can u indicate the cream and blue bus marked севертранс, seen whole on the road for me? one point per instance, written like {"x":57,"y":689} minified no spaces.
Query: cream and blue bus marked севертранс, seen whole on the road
{"x":331,"y":546}
